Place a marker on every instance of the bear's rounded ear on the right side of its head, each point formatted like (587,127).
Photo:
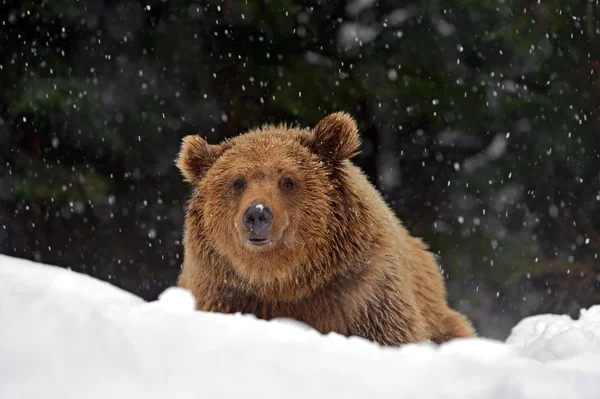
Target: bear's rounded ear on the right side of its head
(335,138)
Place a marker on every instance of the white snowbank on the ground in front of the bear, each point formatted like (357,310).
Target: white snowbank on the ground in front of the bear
(67,335)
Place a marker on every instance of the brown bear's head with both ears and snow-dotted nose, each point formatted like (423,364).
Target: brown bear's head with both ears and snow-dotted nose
(265,200)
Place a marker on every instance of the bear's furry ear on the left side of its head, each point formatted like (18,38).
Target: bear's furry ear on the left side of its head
(196,157)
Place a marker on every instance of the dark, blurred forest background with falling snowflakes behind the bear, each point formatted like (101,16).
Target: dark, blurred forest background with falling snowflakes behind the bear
(480,122)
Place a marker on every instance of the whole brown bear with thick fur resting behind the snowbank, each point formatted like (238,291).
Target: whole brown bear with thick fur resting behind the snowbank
(281,224)
